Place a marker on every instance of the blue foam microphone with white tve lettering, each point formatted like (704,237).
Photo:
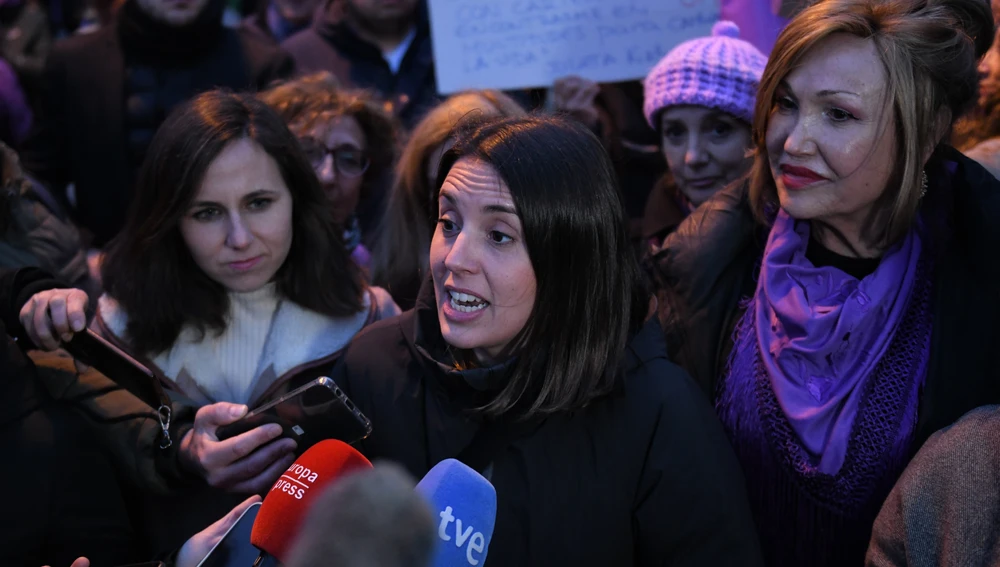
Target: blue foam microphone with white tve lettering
(465,506)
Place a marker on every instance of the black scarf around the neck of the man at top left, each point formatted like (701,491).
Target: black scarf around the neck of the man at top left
(152,42)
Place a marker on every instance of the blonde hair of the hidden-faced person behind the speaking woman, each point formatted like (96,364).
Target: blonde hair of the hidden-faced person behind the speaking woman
(403,238)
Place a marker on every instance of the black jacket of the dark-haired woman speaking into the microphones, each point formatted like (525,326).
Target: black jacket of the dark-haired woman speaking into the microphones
(643,476)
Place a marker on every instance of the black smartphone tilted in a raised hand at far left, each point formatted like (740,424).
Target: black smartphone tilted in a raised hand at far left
(94,350)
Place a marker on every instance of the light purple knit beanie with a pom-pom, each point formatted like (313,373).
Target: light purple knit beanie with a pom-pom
(721,72)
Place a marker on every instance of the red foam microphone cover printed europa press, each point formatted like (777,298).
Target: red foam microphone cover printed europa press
(286,504)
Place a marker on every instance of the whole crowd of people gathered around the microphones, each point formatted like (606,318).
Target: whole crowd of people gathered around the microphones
(741,312)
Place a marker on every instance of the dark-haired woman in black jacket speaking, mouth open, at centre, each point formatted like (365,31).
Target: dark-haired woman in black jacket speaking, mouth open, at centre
(531,356)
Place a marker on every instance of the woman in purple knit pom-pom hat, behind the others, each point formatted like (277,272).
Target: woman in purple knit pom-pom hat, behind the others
(700,99)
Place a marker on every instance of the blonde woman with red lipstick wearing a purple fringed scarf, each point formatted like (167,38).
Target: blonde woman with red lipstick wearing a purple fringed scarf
(840,304)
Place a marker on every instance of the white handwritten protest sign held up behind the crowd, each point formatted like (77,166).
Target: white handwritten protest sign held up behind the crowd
(511,44)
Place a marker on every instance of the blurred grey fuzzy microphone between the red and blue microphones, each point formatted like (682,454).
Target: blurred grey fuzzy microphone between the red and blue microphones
(372,518)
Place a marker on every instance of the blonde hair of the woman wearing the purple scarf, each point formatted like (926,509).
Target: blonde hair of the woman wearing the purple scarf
(928,50)
